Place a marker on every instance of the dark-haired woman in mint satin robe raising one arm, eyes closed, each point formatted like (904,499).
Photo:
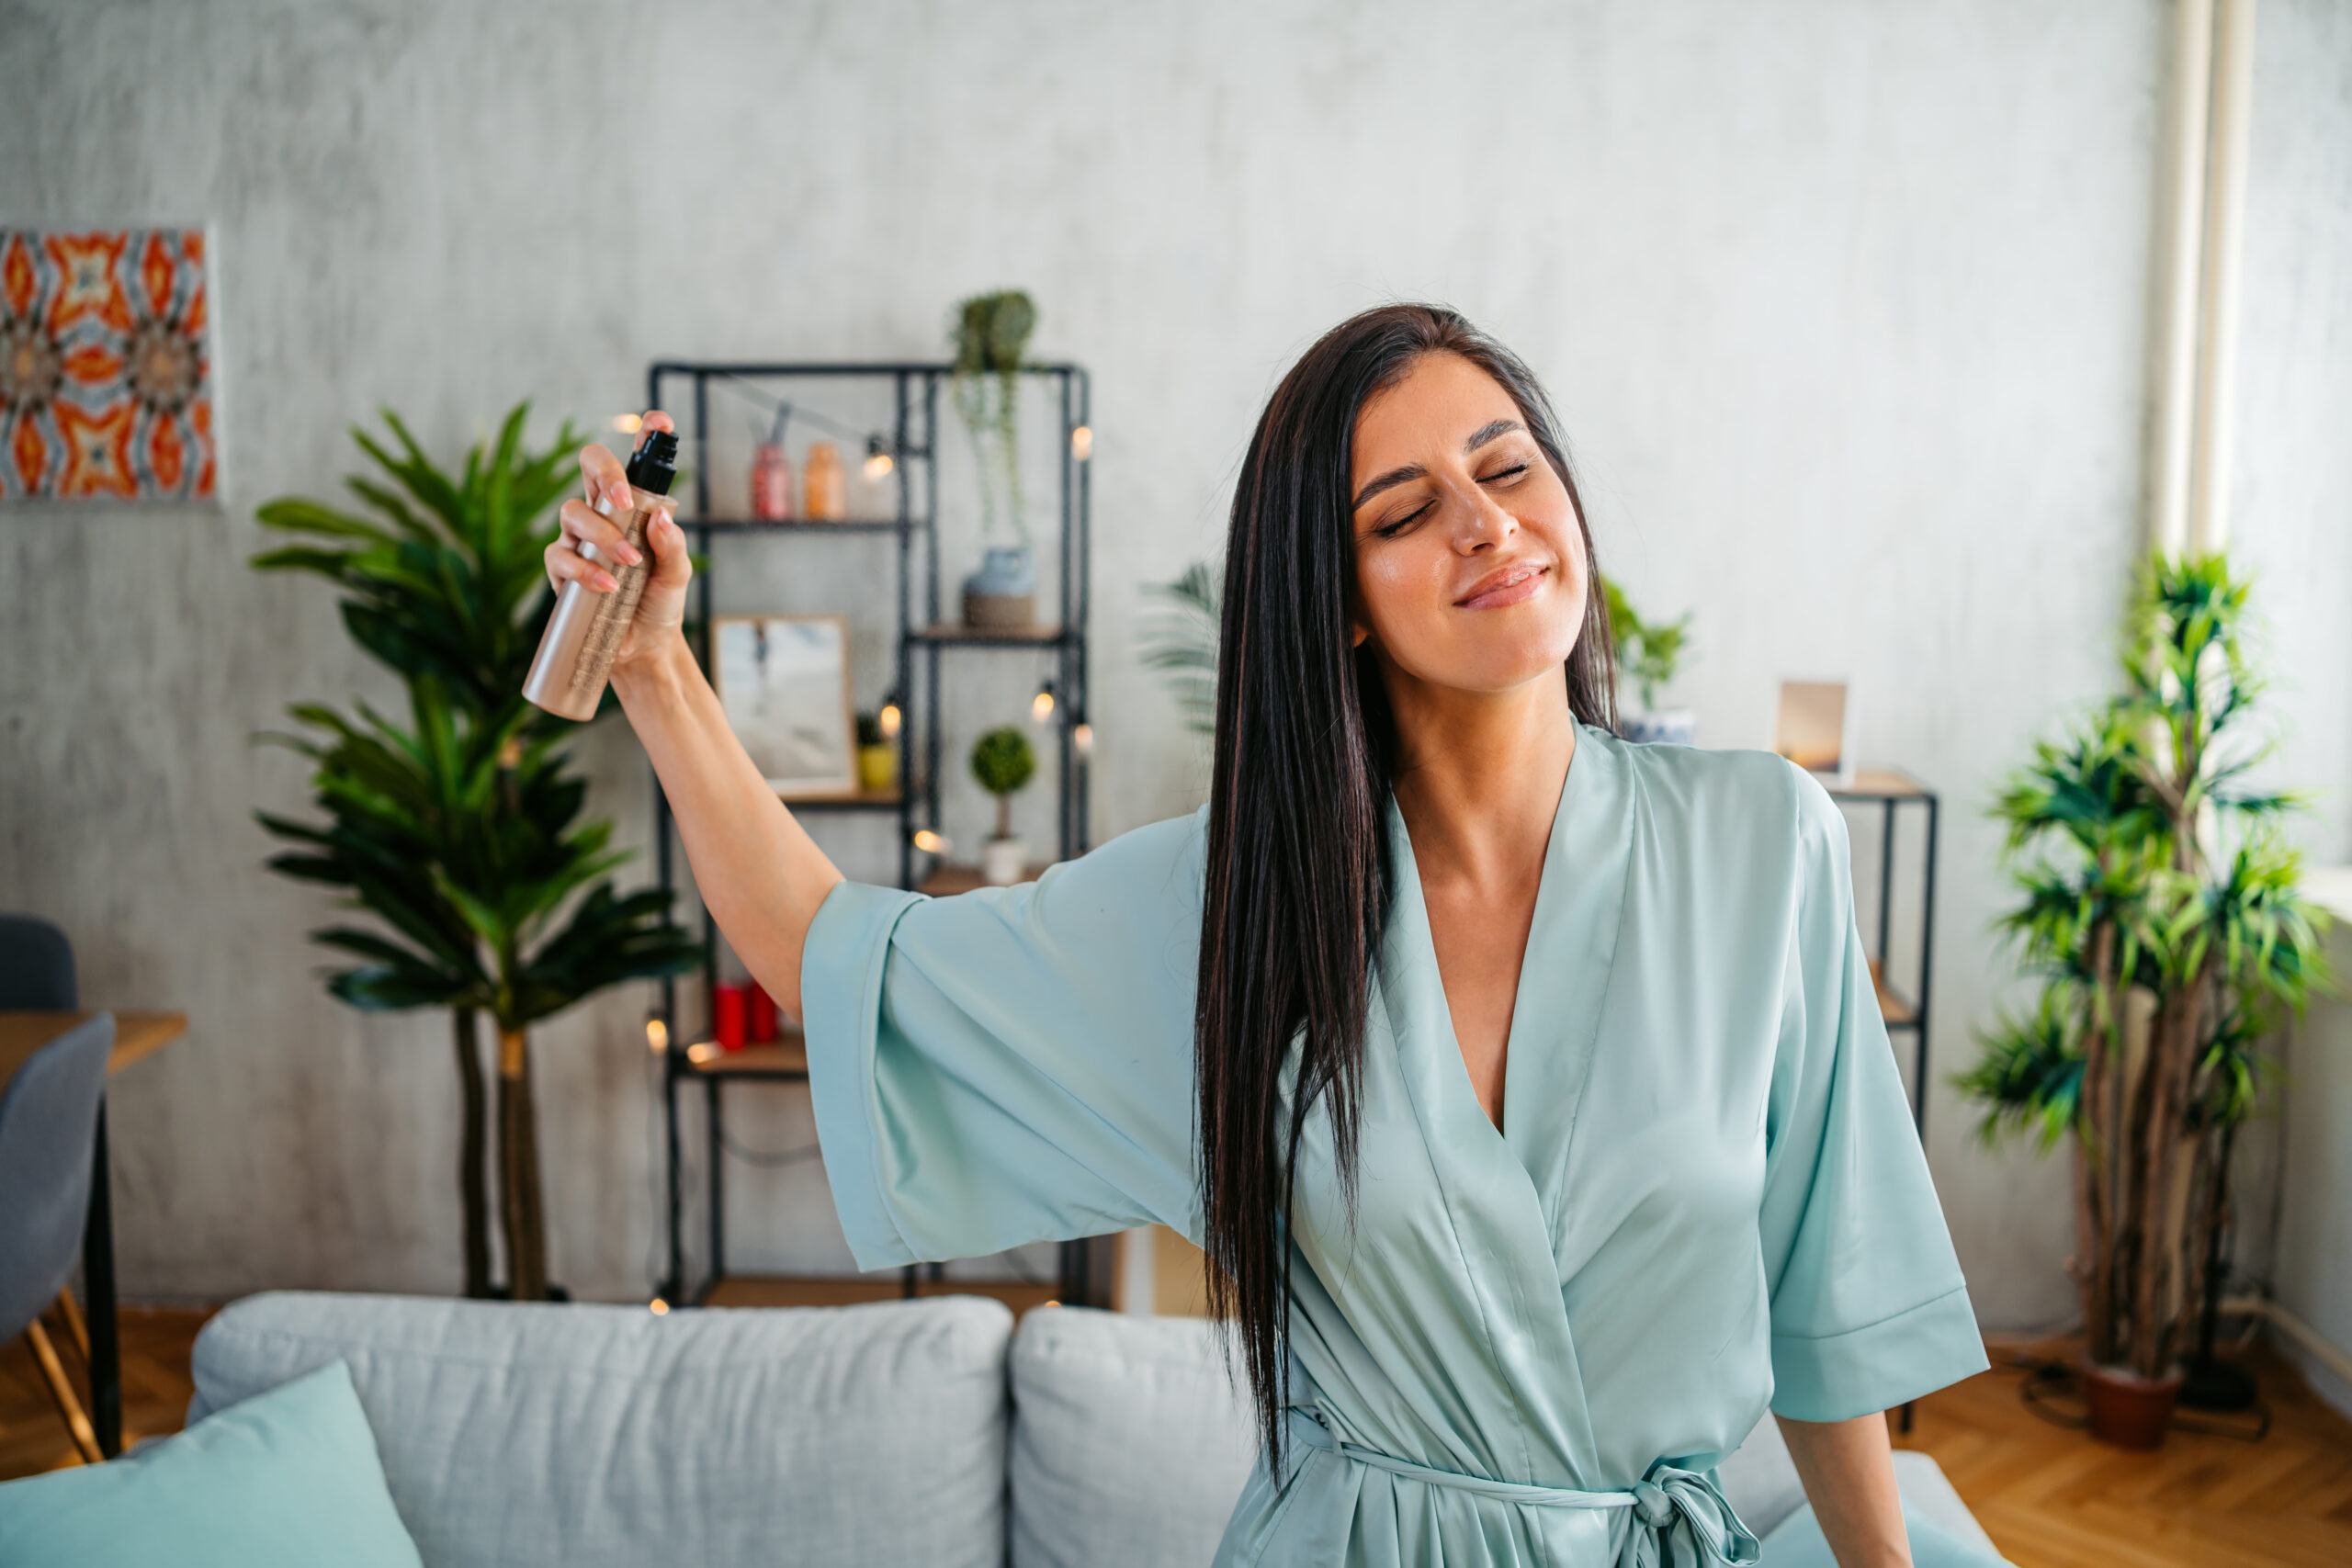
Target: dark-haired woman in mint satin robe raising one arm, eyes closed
(1525,1087)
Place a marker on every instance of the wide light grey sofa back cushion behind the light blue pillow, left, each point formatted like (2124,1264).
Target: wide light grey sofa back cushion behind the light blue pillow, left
(608,1435)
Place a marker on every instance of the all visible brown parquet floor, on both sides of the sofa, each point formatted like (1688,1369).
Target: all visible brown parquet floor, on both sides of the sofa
(2050,1496)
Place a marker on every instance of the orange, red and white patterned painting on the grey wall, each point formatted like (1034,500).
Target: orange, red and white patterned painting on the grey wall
(105,370)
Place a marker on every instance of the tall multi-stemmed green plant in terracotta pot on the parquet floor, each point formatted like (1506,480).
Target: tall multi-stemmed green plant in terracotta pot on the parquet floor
(2163,916)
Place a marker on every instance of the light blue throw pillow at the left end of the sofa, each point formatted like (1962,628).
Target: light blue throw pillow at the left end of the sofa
(279,1482)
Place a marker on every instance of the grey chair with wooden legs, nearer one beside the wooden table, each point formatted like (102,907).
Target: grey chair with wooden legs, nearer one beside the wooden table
(48,1134)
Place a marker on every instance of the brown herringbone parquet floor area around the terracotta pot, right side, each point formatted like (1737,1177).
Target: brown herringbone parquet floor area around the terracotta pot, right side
(2057,1499)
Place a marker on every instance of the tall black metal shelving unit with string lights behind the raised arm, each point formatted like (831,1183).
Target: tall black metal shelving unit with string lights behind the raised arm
(923,641)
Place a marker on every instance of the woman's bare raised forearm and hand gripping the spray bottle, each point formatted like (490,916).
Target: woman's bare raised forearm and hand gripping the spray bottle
(759,869)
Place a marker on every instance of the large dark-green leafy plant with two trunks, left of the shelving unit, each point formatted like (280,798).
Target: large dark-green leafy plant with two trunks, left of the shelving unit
(460,826)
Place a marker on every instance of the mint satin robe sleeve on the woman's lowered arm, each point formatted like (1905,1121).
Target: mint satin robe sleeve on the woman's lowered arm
(1869,1306)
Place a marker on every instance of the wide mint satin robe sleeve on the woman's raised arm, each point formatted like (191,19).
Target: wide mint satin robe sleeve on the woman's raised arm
(1013,1064)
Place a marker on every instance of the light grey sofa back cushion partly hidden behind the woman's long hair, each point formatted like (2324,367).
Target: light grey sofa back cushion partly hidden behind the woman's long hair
(1130,1445)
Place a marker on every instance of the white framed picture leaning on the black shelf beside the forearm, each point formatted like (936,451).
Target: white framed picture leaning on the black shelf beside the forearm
(784,685)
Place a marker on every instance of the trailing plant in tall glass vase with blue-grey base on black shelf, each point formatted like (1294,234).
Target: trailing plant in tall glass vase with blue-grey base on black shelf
(991,333)
